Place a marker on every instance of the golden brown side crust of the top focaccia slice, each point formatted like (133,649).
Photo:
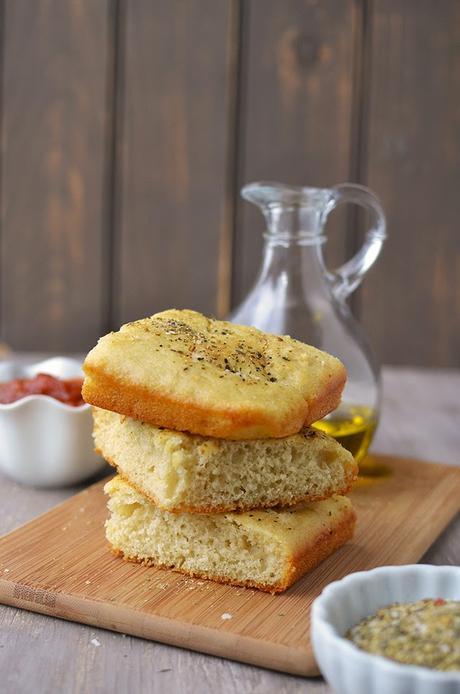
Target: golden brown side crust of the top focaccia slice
(104,391)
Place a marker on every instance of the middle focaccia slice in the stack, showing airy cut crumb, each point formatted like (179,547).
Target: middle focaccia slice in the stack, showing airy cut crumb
(185,472)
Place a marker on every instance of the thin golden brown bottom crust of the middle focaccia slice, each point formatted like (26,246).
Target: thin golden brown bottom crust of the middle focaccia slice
(239,506)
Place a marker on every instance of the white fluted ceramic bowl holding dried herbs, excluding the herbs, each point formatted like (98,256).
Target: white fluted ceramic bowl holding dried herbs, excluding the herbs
(342,604)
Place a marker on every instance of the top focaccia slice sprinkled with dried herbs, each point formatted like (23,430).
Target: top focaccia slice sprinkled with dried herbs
(184,371)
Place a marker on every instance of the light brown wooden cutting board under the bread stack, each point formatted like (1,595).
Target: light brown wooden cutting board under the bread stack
(59,564)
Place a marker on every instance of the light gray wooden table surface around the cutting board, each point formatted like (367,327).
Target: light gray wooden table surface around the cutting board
(38,654)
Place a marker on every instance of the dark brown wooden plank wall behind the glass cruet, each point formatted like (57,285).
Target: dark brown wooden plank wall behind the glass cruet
(128,127)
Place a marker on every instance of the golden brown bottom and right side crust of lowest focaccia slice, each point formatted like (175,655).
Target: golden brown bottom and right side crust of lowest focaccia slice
(306,559)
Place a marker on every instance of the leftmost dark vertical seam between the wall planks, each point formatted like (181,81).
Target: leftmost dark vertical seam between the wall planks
(114,94)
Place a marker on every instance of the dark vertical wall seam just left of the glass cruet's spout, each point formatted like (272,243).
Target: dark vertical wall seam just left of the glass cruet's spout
(239,142)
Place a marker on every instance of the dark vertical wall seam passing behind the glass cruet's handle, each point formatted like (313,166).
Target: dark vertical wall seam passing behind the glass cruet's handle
(359,126)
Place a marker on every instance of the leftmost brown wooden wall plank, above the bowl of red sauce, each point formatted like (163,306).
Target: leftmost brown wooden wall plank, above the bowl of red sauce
(55,122)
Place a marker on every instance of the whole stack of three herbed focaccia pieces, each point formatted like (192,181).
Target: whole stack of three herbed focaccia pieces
(219,475)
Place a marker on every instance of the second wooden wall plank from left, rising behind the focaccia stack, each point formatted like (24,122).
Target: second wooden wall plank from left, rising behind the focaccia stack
(171,178)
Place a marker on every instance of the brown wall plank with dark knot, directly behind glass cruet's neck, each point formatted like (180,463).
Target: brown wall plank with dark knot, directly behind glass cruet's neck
(296,111)
